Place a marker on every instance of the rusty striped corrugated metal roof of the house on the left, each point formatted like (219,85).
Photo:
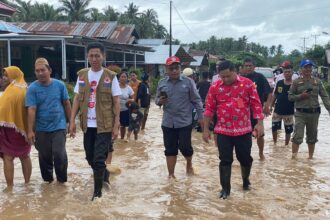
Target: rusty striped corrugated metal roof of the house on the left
(94,29)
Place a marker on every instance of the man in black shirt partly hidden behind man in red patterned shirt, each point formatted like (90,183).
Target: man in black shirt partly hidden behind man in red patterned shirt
(265,95)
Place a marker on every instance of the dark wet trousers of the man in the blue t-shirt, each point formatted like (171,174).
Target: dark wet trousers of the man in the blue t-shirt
(52,153)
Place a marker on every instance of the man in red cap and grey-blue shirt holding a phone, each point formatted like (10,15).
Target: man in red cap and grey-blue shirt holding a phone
(176,93)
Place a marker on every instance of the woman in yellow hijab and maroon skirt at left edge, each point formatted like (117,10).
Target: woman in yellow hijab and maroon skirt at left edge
(13,125)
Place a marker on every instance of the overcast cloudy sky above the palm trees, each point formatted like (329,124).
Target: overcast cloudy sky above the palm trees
(267,22)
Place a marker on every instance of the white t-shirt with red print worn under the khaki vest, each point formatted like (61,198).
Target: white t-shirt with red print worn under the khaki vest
(93,79)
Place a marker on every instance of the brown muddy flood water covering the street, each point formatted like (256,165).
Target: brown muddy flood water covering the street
(282,188)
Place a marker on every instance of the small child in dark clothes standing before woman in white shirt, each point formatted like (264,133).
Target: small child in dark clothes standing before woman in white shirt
(135,118)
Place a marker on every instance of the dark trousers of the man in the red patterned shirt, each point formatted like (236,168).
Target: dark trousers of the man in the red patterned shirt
(242,146)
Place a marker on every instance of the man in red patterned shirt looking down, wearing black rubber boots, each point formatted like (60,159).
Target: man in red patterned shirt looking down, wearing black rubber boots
(231,99)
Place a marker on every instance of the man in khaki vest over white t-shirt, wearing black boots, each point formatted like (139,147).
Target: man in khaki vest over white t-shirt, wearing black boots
(97,98)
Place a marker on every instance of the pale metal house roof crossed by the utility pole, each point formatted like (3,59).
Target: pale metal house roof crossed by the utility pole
(162,53)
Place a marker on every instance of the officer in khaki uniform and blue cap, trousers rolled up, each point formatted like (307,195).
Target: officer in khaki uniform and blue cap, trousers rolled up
(304,92)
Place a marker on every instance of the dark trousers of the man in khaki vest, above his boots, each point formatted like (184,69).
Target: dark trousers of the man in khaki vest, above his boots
(97,147)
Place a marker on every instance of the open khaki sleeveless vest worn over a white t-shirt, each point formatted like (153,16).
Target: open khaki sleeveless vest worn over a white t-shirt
(104,102)
